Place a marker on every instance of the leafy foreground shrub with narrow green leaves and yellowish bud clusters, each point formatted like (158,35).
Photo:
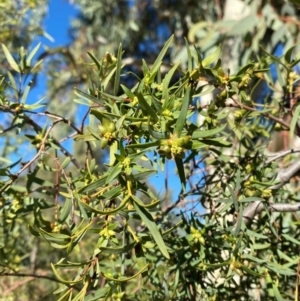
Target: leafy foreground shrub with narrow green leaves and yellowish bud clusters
(111,237)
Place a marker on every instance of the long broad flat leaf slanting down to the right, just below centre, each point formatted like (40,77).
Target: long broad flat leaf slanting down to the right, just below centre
(150,224)
